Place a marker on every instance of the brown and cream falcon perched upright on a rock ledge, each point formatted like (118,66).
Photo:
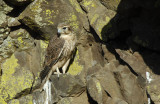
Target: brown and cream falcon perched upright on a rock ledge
(59,52)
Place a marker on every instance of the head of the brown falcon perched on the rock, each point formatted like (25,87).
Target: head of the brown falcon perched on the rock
(63,29)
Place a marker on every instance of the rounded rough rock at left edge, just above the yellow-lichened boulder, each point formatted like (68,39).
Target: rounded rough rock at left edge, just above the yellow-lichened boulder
(17,40)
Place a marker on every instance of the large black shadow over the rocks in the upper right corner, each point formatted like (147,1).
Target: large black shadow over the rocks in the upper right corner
(135,28)
